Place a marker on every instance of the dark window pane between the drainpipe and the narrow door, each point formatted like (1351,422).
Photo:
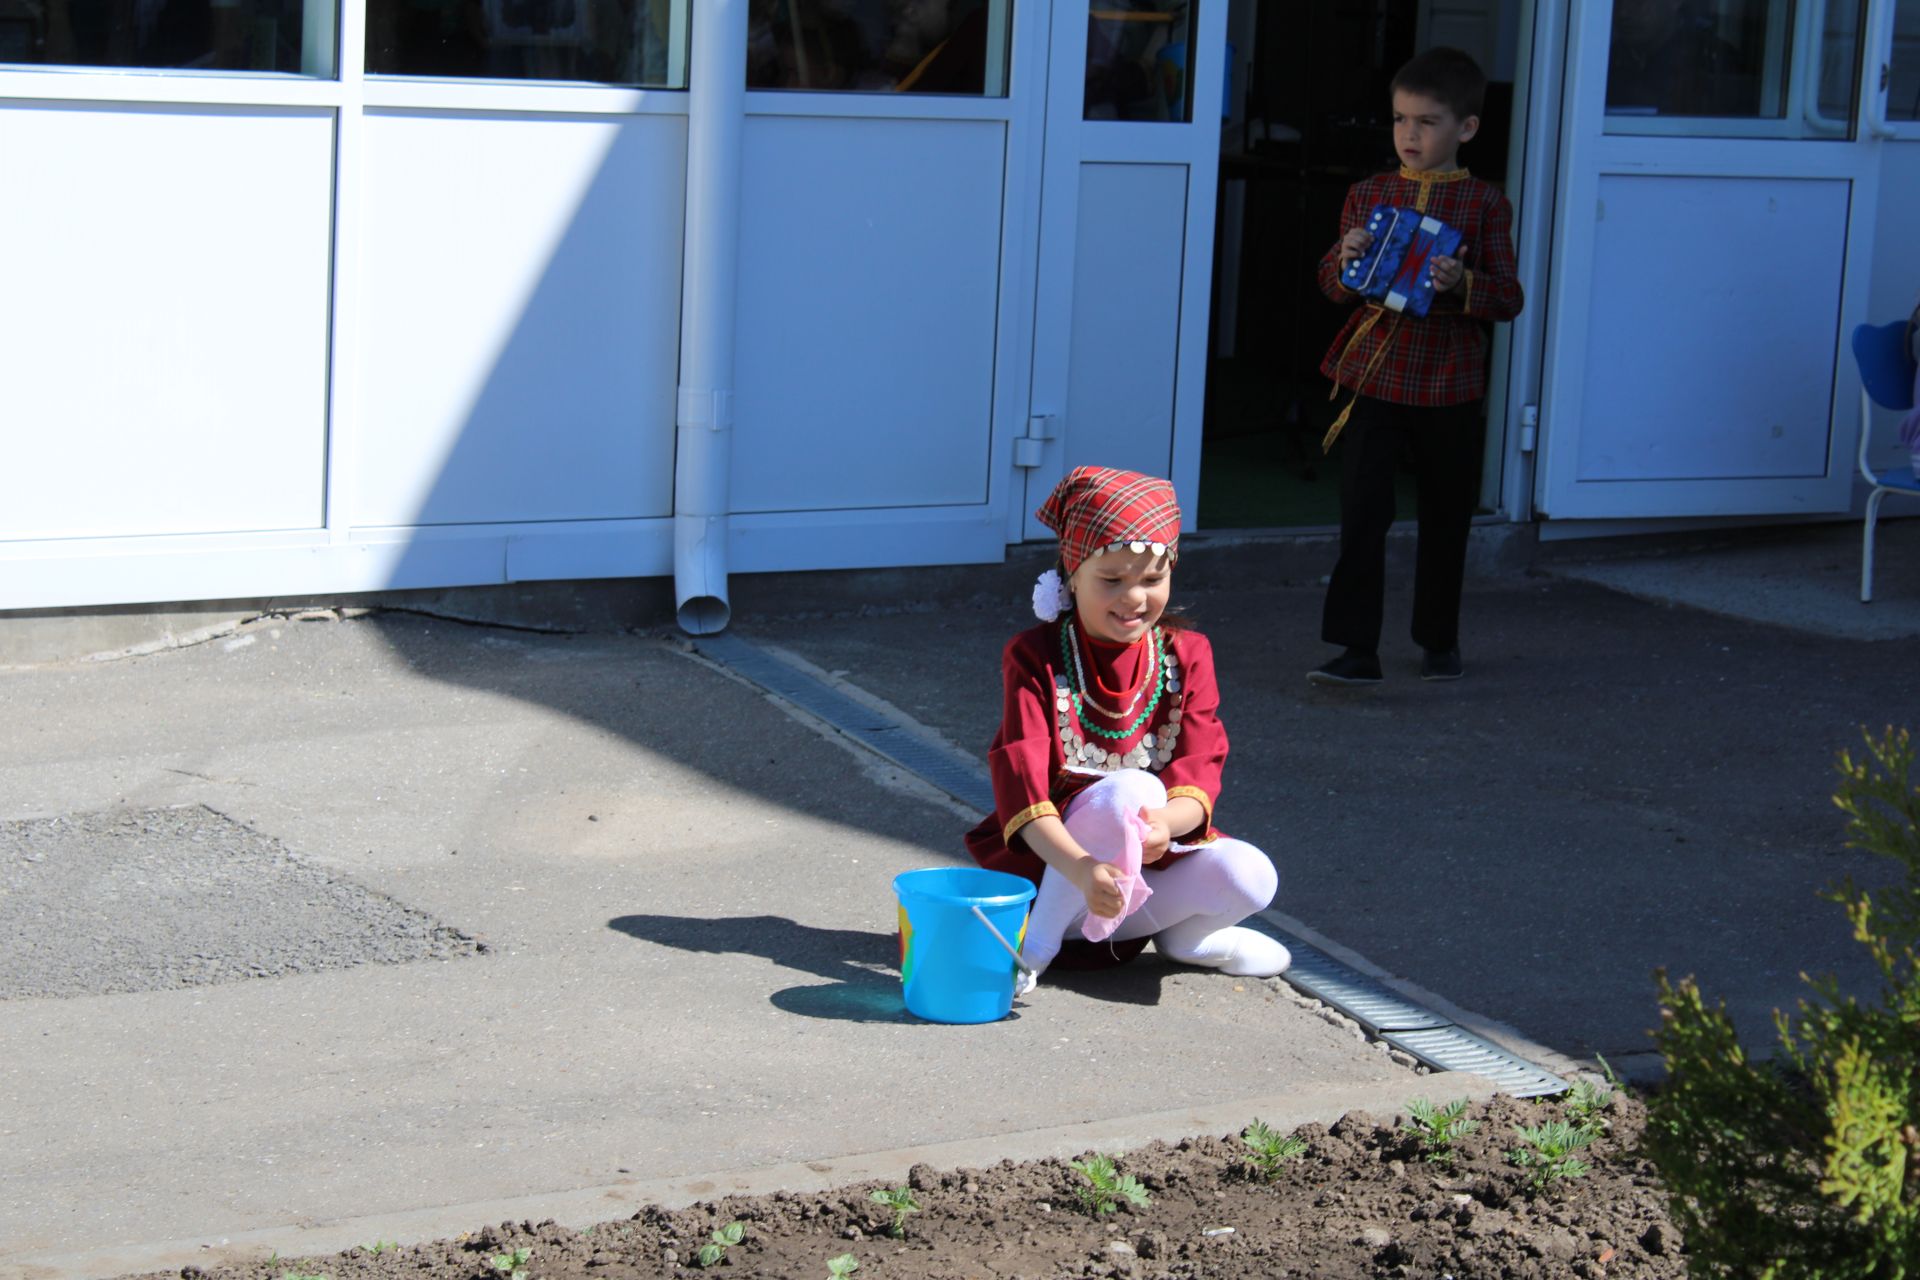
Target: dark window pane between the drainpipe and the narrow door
(880,47)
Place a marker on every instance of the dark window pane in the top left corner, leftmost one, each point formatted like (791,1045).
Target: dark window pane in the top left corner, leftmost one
(203,36)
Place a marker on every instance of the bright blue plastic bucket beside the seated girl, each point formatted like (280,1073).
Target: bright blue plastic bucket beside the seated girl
(953,970)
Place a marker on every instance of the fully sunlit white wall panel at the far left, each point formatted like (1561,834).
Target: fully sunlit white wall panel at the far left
(162,320)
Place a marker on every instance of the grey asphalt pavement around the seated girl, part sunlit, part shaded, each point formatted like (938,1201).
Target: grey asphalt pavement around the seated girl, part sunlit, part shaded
(673,891)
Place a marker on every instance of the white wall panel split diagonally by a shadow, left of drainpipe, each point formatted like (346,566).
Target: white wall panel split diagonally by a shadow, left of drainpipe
(521,318)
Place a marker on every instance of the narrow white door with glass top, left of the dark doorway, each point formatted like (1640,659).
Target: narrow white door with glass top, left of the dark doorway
(1126,245)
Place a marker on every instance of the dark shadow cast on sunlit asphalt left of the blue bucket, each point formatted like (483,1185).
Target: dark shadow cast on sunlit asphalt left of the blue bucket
(861,968)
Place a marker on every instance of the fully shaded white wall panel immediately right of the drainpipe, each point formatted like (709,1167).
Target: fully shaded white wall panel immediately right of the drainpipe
(871,264)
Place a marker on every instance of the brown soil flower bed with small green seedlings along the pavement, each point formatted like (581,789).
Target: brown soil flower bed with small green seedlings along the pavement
(1358,1200)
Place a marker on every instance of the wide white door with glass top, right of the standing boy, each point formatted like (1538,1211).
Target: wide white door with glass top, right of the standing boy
(1712,252)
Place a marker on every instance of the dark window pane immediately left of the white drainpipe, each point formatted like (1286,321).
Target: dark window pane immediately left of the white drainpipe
(604,41)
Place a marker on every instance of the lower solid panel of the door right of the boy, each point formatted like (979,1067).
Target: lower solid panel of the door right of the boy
(1712,354)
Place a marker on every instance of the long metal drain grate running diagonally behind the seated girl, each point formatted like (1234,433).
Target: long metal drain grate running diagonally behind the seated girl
(1376,1007)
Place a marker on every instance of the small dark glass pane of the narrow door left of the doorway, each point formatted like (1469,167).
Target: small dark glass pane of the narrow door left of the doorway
(1138,60)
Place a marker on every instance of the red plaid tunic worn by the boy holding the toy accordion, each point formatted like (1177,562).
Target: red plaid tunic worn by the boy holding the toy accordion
(1441,358)
